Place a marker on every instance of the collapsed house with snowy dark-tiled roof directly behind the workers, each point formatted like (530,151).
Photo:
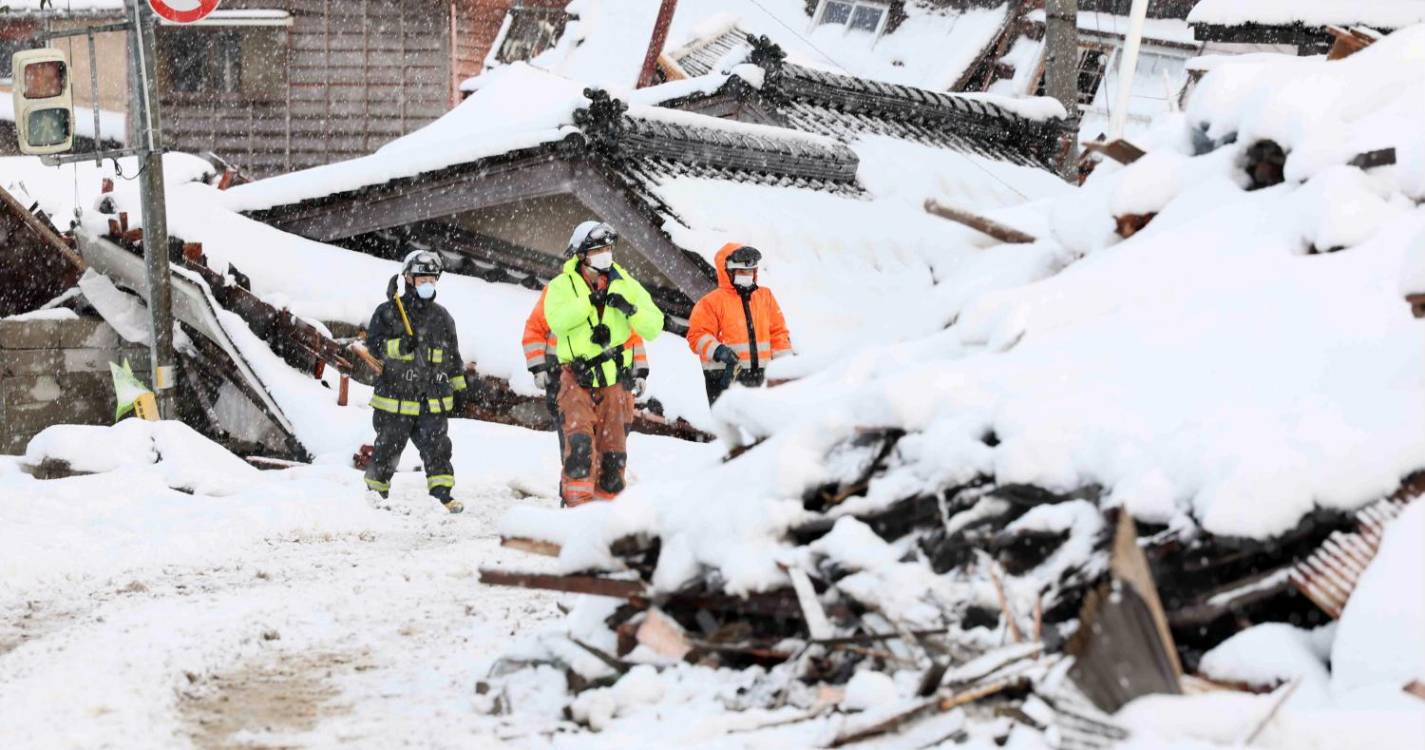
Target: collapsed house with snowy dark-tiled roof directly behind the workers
(680,170)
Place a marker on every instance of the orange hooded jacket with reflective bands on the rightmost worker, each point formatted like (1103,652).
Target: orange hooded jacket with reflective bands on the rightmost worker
(722,319)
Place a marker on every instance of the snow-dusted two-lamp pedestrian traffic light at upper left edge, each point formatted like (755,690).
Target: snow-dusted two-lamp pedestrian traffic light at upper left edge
(43,102)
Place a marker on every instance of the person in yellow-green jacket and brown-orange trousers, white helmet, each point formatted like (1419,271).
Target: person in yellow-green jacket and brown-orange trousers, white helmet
(594,307)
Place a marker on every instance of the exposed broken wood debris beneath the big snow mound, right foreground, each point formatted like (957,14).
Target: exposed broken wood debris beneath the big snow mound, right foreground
(1092,610)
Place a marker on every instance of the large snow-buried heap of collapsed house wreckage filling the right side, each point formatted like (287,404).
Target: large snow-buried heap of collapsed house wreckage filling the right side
(943,533)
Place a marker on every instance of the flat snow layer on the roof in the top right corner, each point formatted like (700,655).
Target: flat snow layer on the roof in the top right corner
(1316,14)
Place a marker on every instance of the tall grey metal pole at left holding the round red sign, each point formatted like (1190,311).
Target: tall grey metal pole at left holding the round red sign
(156,217)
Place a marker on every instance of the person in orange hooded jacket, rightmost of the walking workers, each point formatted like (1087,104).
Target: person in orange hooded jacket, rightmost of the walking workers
(737,329)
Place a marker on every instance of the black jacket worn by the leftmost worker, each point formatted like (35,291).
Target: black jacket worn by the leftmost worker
(423,367)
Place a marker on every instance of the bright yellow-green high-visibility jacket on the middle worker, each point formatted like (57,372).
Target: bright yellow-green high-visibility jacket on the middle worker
(574,316)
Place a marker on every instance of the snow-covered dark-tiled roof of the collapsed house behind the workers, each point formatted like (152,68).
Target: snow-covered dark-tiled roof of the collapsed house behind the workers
(839,176)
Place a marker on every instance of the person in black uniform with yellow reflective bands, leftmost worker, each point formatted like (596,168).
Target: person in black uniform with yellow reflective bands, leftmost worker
(423,381)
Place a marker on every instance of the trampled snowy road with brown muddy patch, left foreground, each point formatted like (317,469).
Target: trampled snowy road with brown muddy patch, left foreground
(183,598)
